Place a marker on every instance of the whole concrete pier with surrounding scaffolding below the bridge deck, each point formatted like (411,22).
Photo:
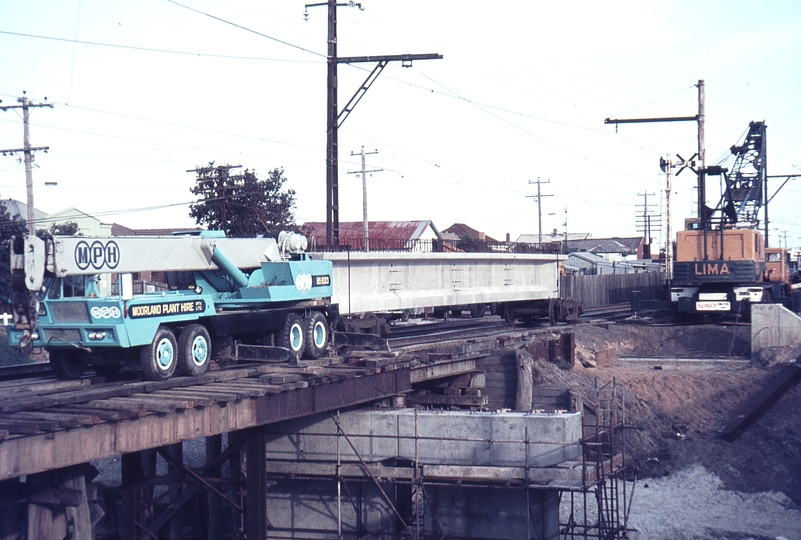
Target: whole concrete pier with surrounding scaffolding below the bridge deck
(458,474)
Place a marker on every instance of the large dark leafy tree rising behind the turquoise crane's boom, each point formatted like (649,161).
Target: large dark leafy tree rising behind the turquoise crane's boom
(242,205)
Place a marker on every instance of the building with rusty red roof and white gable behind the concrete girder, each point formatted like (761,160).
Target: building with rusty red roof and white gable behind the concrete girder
(382,235)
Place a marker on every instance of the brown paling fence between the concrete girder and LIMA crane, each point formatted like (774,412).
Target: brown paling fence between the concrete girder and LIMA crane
(604,290)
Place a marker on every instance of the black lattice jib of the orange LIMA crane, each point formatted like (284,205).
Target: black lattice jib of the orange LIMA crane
(745,184)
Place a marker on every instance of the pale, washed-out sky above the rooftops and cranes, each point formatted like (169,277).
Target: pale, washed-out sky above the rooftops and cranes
(145,91)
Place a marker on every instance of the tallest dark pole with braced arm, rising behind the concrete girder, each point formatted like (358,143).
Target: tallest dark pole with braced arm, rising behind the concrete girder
(335,118)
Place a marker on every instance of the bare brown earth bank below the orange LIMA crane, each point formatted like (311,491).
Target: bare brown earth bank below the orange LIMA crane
(674,416)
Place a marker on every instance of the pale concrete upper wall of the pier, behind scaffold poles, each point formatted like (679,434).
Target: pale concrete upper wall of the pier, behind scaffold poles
(443,438)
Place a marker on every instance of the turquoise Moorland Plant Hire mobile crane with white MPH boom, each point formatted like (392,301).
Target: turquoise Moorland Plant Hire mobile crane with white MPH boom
(76,297)
